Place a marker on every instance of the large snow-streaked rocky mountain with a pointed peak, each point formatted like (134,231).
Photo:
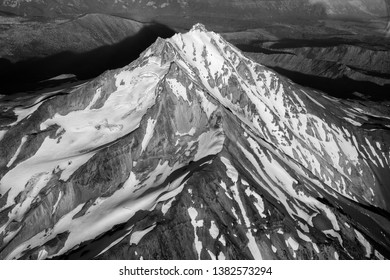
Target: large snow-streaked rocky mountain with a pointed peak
(193,151)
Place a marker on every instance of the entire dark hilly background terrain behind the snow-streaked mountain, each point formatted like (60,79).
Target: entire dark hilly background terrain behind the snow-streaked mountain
(323,44)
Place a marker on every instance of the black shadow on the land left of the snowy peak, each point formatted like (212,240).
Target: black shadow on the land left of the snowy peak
(26,75)
